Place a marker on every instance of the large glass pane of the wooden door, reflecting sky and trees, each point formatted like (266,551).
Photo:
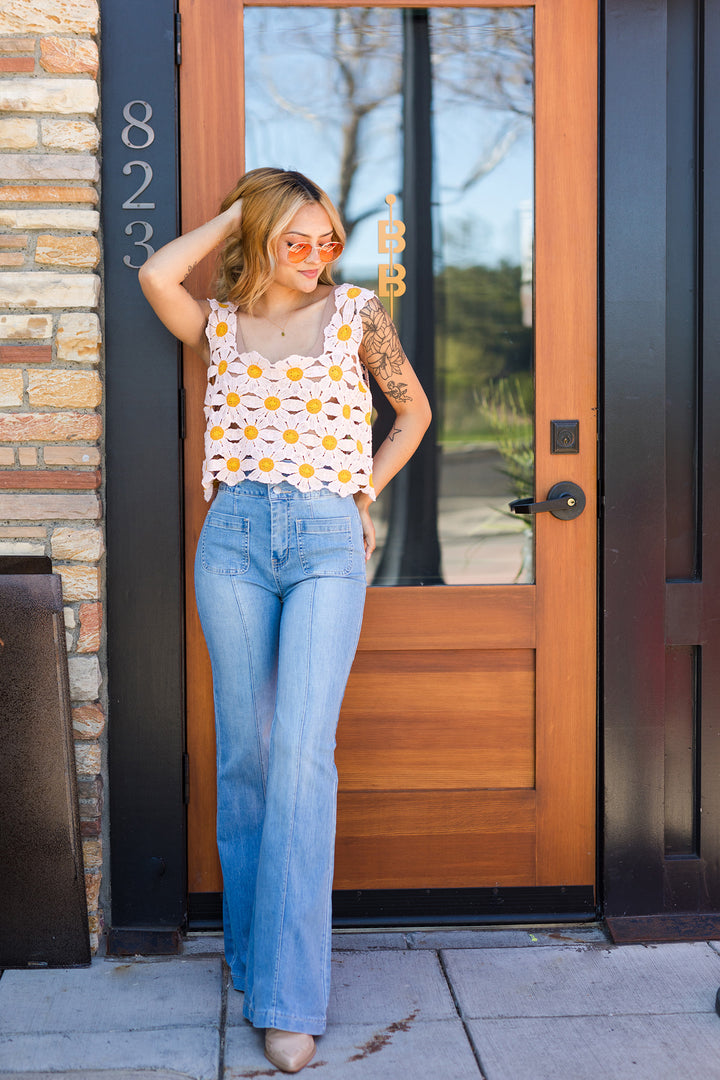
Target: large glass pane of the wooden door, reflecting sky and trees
(436,109)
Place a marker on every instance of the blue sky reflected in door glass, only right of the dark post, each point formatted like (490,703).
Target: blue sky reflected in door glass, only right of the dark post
(483,130)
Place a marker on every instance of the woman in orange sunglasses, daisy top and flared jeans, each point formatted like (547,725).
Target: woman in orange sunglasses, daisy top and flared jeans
(280,570)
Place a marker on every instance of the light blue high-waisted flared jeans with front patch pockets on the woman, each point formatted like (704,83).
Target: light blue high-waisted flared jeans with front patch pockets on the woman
(280,583)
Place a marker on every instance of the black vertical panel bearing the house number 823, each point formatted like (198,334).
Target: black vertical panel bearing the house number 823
(144,501)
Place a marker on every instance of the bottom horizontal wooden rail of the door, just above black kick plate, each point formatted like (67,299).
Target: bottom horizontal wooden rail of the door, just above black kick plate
(488,838)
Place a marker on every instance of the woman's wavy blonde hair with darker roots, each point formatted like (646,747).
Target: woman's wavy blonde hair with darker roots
(271,199)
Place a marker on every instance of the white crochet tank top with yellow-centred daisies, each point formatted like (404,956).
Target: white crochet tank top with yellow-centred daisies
(303,420)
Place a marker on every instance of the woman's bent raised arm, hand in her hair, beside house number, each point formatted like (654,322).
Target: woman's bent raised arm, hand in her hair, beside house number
(161,278)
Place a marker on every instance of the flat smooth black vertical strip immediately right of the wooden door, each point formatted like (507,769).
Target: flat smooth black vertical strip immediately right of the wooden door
(635,314)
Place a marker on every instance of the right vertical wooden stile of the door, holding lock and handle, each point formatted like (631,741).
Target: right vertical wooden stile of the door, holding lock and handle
(566,312)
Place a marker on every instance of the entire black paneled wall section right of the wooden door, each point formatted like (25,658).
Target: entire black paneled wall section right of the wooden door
(662,585)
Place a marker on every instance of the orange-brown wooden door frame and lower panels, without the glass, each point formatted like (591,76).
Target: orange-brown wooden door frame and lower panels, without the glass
(467,742)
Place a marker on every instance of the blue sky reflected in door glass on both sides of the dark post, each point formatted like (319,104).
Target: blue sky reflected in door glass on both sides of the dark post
(301,107)
